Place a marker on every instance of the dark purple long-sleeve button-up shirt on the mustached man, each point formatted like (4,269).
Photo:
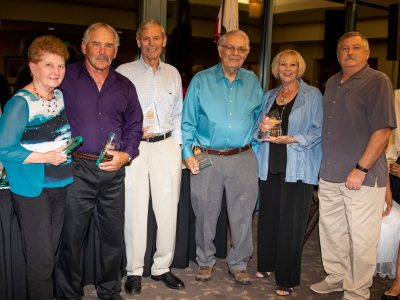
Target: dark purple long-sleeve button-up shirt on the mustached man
(93,114)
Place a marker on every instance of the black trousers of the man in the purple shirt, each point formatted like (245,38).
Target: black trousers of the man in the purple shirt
(93,189)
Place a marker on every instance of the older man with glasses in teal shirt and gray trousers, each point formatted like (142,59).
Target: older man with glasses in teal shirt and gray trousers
(219,117)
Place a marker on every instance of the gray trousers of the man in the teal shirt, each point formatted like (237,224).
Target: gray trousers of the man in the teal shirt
(237,174)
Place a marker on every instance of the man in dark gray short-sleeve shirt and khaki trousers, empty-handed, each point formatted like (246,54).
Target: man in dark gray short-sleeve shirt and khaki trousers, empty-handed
(358,119)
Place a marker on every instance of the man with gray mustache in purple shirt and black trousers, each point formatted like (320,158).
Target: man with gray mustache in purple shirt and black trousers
(98,101)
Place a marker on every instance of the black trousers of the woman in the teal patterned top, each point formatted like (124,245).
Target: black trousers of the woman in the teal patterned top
(40,220)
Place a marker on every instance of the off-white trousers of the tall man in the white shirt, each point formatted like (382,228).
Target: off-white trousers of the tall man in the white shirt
(157,169)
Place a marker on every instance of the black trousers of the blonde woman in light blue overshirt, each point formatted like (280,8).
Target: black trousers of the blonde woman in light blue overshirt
(282,221)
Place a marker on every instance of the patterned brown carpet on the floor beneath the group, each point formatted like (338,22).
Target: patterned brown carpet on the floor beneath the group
(222,286)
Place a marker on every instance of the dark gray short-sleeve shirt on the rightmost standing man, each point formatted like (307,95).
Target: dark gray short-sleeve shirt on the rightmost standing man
(353,110)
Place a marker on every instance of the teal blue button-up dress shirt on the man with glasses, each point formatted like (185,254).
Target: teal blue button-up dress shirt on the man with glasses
(218,114)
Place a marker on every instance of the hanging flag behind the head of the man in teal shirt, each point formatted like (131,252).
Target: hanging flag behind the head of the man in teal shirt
(227,19)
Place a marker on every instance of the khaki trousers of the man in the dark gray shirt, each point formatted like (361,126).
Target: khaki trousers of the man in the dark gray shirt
(349,228)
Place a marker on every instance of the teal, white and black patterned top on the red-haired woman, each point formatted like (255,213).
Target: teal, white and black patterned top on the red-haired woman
(30,124)
